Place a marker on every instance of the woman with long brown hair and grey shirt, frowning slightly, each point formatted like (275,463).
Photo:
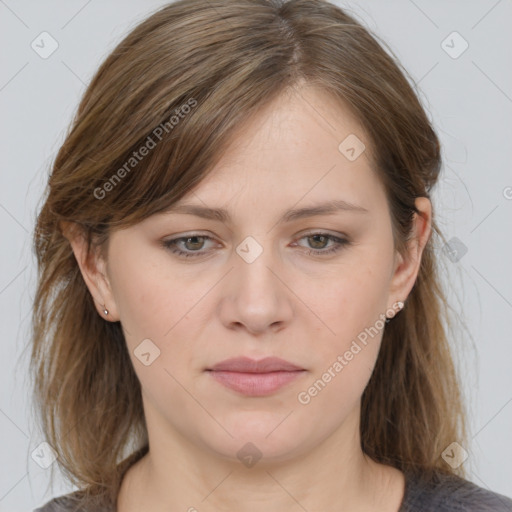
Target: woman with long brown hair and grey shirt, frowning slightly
(238,303)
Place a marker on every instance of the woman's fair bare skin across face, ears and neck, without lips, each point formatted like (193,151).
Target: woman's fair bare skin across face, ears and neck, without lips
(304,308)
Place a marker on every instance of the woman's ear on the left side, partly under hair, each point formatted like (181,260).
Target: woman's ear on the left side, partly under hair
(94,271)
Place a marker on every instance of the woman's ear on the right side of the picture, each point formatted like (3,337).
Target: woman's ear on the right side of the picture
(406,269)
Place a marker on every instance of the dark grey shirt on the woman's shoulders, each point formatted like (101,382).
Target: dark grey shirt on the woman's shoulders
(445,493)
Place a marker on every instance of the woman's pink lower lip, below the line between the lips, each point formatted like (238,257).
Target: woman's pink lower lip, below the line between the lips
(255,384)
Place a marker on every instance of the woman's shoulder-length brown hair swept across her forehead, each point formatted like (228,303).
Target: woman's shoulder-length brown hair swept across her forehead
(182,83)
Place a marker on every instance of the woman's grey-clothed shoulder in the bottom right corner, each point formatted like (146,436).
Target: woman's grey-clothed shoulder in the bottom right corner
(447,492)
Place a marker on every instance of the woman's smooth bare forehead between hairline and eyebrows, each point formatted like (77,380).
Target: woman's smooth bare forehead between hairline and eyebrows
(294,149)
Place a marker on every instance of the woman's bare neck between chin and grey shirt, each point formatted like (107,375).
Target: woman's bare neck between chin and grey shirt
(179,475)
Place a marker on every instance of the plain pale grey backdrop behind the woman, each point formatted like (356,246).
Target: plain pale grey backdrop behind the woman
(465,83)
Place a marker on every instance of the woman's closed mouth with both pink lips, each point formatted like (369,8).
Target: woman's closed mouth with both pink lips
(255,378)
